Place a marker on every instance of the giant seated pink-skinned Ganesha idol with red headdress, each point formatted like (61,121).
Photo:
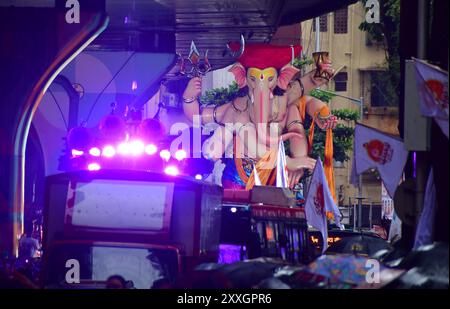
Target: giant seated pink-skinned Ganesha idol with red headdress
(270,107)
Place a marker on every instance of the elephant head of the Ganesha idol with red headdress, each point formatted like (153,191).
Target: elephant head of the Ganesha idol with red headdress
(263,71)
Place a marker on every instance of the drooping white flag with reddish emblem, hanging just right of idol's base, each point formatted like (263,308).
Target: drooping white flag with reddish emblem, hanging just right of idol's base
(319,201)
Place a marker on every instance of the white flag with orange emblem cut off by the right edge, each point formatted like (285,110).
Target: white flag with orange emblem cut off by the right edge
(432,85)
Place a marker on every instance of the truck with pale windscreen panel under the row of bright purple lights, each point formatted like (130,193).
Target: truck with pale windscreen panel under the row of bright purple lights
(148,228)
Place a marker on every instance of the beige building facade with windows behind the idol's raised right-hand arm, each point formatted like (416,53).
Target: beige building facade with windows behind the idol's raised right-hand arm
(360,62)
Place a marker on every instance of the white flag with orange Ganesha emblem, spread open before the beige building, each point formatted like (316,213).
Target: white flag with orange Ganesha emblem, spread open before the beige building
(385,152)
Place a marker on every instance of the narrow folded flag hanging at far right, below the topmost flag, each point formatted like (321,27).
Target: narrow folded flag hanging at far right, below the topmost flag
(424,232)
